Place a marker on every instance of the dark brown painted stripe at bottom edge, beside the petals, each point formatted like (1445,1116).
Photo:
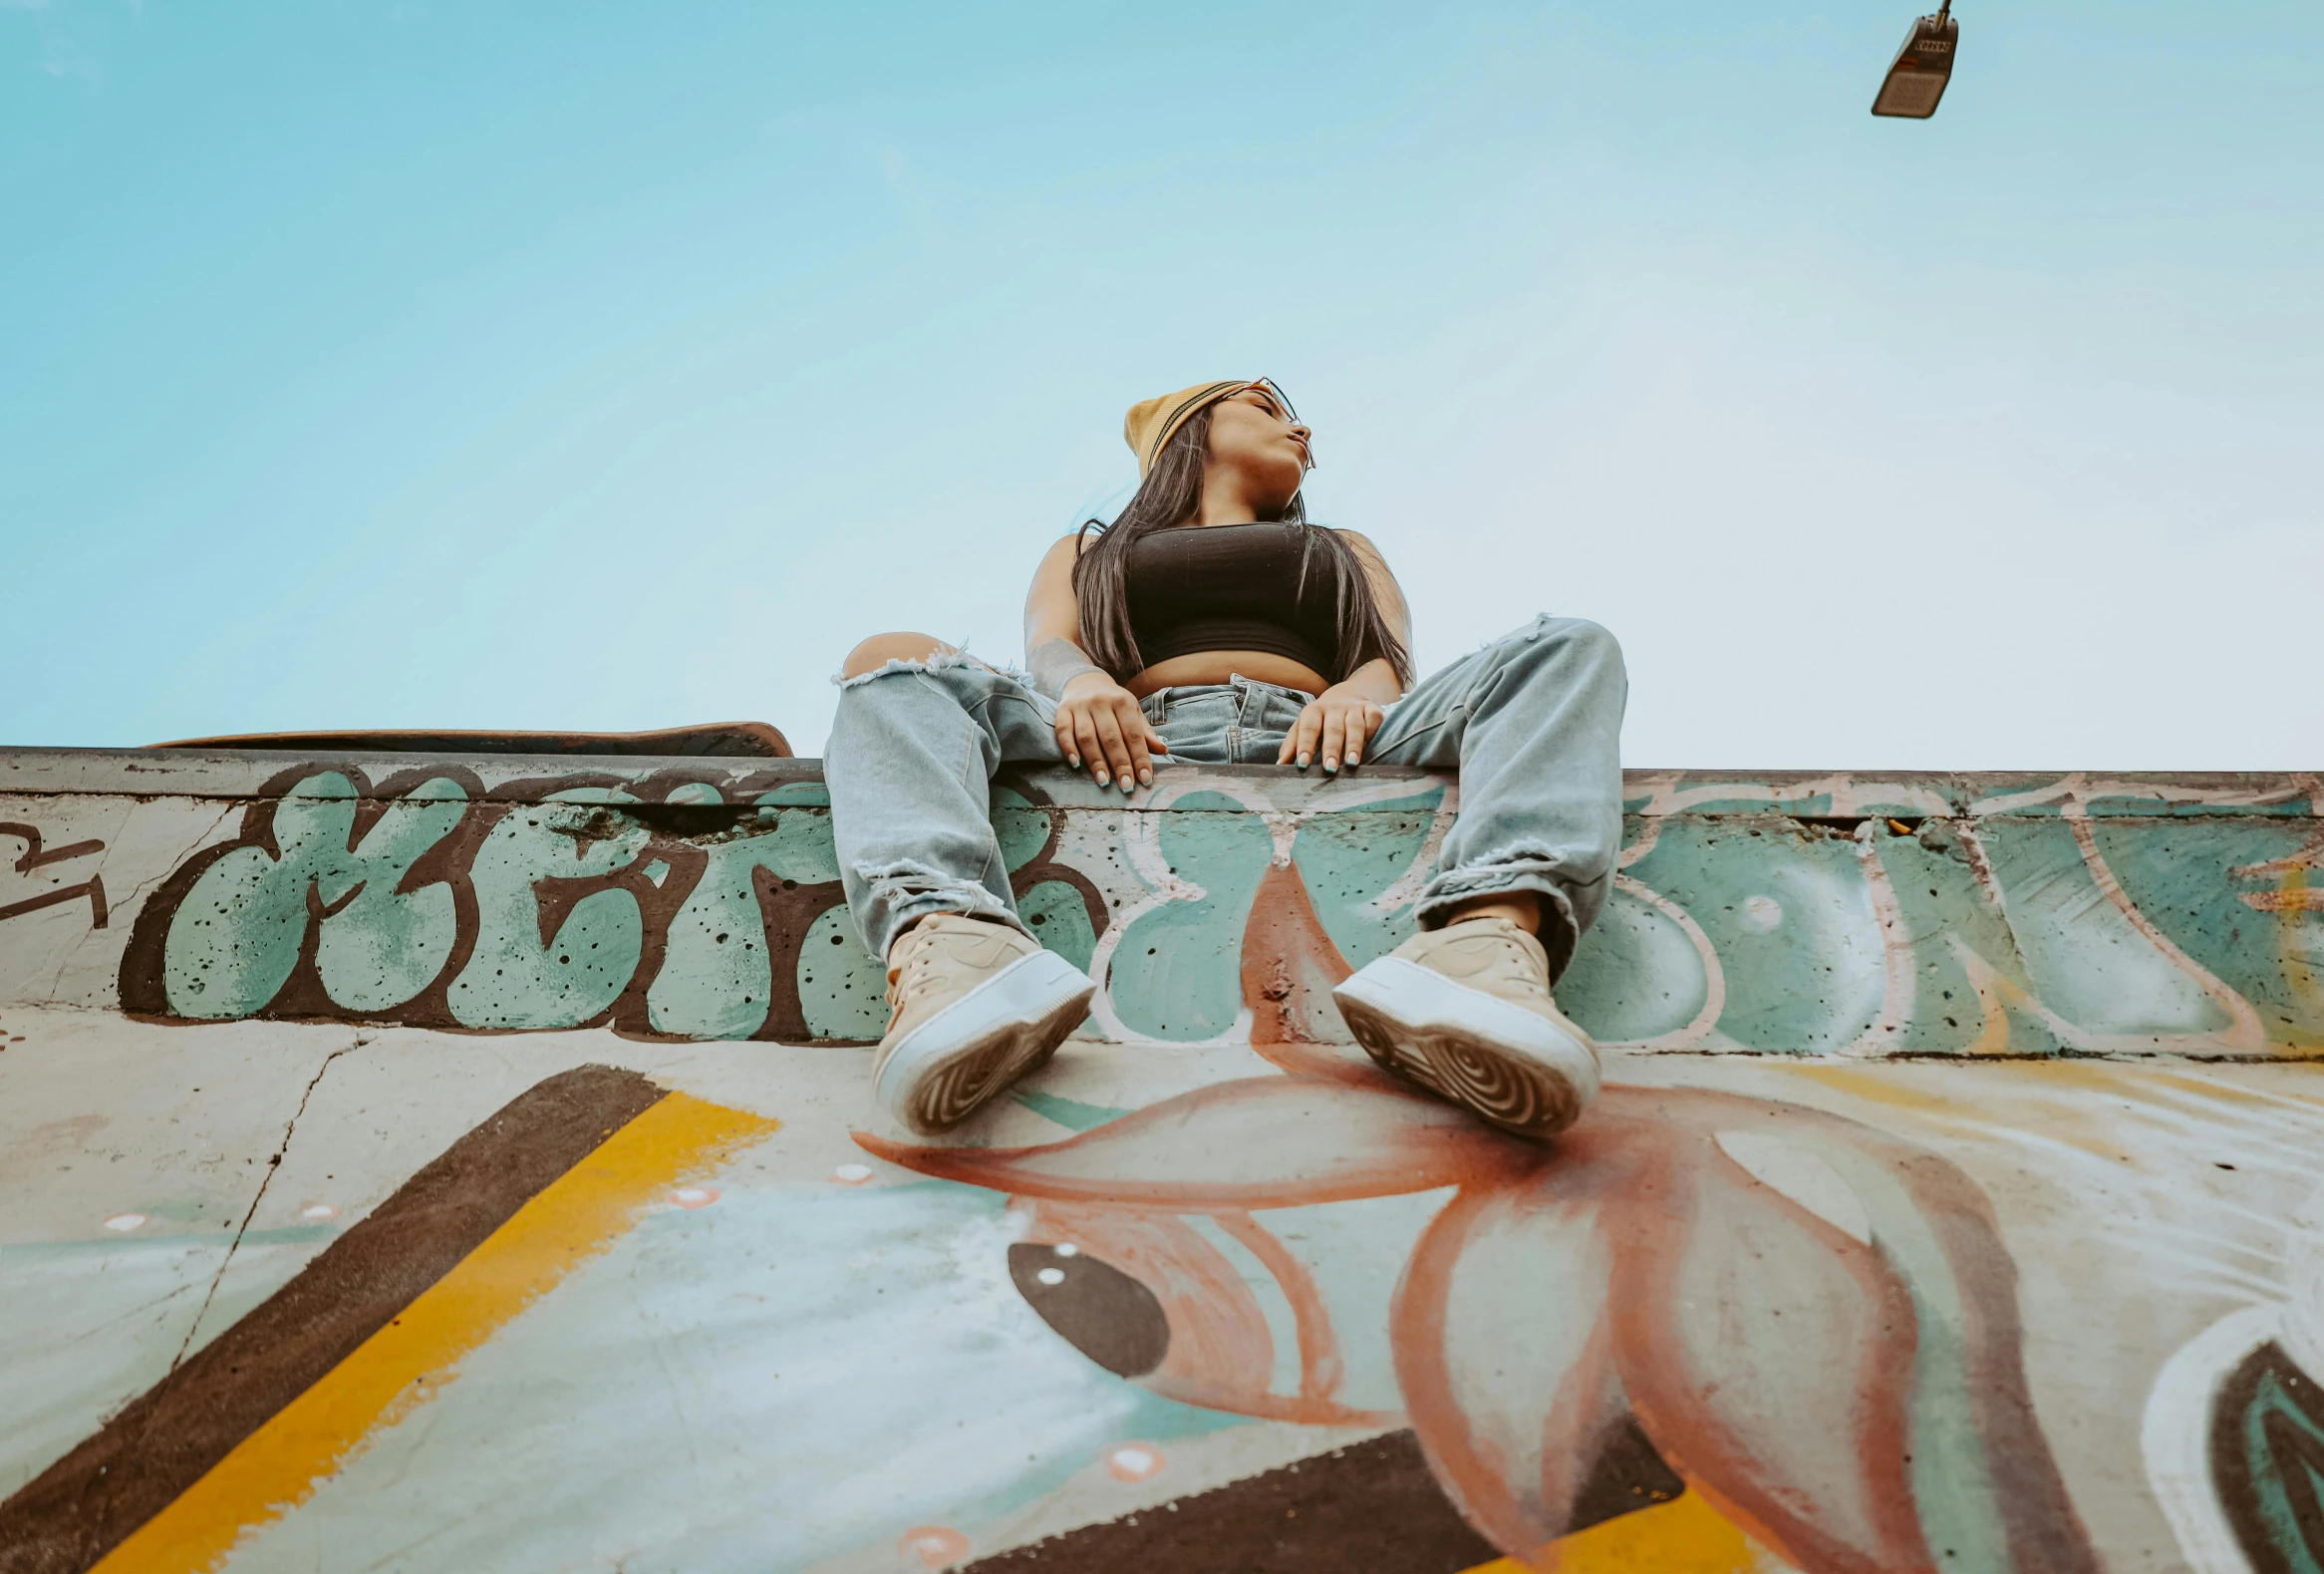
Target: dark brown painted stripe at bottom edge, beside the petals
(1368,1508)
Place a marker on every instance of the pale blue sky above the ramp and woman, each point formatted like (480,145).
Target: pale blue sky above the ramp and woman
(591,366)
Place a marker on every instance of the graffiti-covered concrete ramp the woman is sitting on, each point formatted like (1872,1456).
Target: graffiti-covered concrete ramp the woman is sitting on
(466,1164)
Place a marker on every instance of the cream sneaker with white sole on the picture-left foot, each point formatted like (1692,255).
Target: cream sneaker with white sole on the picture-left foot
(977,1006)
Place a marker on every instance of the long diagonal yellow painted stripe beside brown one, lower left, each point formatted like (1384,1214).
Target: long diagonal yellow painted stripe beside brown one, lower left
(417,1354)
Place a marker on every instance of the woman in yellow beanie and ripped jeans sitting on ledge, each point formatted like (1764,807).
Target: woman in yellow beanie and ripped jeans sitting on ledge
(1212,624)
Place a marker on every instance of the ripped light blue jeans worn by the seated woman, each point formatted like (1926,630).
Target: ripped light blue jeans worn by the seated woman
(1533,724)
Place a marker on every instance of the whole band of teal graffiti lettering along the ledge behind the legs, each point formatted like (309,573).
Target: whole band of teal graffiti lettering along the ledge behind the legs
(1821,917)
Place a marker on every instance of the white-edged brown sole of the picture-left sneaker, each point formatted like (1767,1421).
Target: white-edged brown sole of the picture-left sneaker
(947,1068)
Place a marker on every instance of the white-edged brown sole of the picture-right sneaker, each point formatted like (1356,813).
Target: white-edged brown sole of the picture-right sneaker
(1500,1061)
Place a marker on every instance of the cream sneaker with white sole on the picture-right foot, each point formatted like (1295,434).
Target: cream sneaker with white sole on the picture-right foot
(1468,1015)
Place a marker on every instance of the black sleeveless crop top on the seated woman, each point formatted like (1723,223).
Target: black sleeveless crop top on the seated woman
(1235,589)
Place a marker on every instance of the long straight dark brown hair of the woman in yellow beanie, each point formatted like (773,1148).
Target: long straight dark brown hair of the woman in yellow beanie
(1168,499)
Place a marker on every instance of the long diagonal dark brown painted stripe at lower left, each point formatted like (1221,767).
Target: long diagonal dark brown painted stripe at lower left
(94,1498)
